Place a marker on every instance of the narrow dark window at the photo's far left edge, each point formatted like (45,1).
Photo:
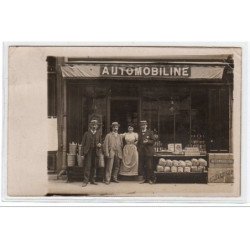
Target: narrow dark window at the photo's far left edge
(51,87)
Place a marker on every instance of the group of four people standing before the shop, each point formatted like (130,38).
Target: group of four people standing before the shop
(131,159)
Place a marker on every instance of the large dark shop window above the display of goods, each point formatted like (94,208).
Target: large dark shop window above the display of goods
(177,114)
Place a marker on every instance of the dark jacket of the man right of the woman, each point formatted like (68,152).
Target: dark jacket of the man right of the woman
(146,149)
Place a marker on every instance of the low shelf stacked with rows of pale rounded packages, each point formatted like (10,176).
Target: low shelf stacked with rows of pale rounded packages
(170,168)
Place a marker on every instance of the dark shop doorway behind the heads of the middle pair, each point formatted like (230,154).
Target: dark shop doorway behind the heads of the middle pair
(125,112)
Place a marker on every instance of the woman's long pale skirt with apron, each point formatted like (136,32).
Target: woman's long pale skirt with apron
(129,165)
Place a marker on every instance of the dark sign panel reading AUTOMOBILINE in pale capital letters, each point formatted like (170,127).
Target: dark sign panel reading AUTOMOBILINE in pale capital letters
(168,71)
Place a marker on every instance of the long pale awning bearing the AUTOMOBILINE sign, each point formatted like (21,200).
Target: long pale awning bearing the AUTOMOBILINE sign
(140,70)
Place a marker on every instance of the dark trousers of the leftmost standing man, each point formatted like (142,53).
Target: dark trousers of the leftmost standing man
(90,166)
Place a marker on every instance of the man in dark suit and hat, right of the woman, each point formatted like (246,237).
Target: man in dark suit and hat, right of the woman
(145,144)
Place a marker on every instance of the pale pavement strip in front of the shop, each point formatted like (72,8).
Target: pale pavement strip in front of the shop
(135,189)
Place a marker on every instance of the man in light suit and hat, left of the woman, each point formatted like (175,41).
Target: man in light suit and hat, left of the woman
(113,151)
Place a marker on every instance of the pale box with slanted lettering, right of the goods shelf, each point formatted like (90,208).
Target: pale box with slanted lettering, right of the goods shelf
(220,175)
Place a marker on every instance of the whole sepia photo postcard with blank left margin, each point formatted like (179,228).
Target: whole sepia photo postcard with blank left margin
(123,121)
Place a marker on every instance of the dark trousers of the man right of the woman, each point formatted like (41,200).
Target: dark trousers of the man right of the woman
(146,167)
